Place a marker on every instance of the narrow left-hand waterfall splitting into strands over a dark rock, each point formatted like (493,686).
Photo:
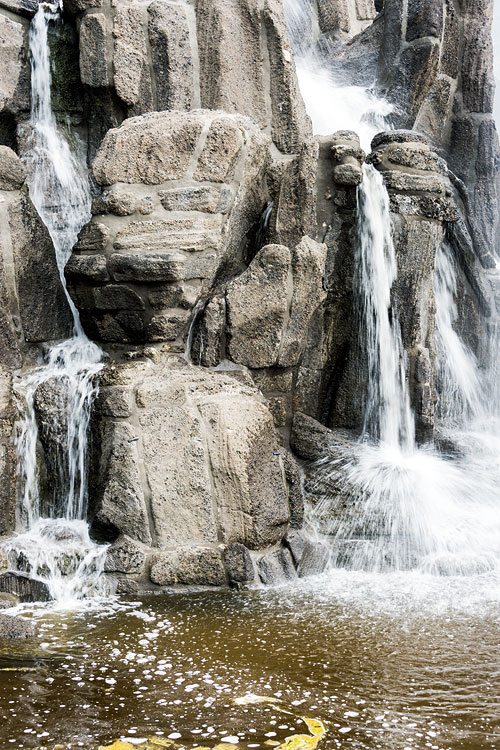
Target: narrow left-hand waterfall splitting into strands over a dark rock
(55,398)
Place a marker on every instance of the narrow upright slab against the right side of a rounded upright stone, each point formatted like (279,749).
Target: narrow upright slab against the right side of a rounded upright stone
(308,268)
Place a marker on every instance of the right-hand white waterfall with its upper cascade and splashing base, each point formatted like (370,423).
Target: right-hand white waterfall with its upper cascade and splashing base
(385,503)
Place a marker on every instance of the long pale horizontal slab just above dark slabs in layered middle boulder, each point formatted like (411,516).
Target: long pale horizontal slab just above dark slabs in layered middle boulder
(179,232)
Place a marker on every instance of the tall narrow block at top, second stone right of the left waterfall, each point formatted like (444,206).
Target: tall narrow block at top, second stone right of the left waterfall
(132,77)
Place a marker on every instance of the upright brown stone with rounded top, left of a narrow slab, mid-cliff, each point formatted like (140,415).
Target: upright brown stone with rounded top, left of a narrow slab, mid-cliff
(257,308)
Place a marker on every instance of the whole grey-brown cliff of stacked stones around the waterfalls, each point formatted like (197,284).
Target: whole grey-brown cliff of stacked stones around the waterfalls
(218,267)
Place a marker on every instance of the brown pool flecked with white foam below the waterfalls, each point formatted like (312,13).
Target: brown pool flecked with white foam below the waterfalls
(392,662)
